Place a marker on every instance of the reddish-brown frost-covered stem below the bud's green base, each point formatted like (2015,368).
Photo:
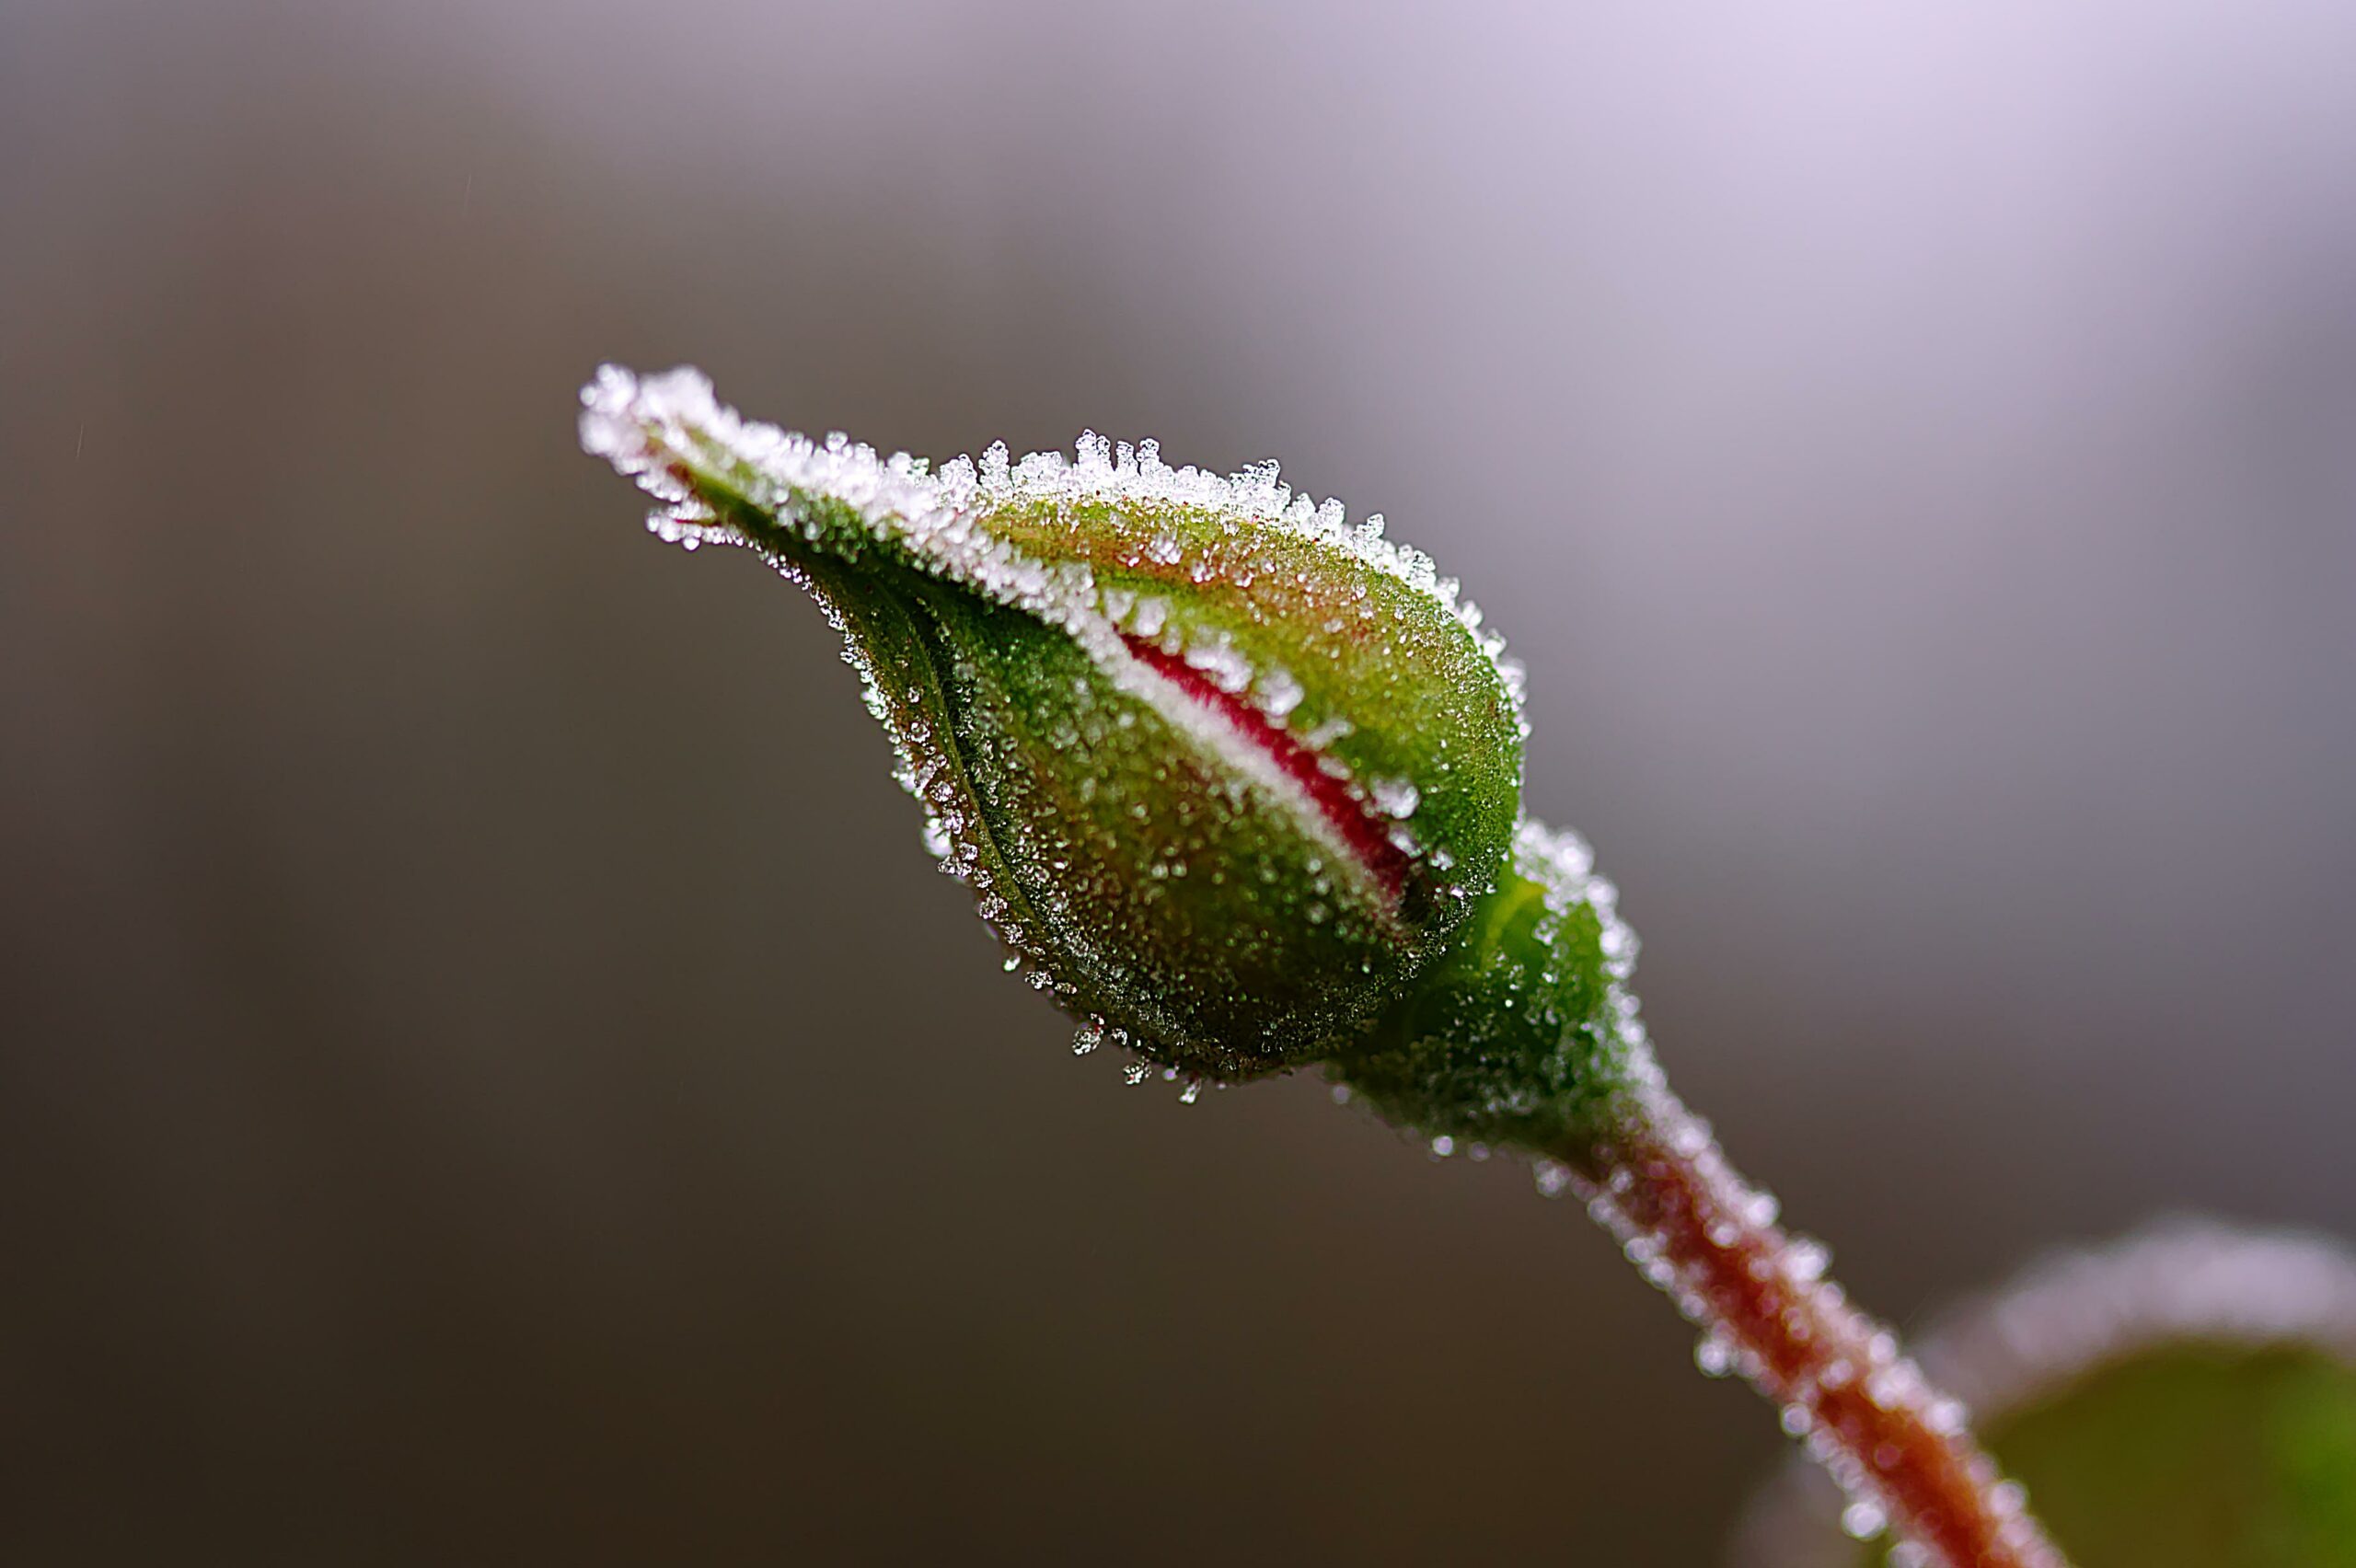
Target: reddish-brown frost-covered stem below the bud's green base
(1862,1409)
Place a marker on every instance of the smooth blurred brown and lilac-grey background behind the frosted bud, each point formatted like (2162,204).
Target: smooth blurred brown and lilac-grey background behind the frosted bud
(487,1070)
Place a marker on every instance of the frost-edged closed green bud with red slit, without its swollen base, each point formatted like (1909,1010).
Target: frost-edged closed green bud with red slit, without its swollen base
(1222,769)
